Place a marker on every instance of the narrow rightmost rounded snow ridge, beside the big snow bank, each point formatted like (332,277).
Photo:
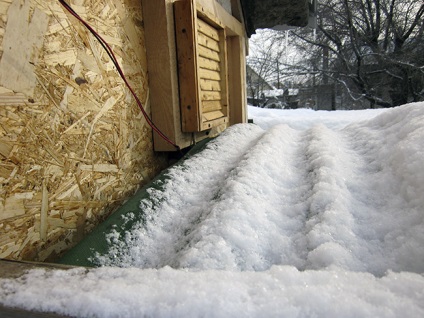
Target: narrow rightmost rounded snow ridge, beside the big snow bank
(328,230)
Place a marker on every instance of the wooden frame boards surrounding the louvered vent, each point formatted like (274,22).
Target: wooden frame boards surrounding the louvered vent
(163,70)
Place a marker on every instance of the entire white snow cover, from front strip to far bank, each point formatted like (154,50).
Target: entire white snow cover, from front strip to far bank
(305,214)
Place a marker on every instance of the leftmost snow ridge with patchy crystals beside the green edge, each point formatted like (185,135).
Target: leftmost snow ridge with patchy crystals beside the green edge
(183,203)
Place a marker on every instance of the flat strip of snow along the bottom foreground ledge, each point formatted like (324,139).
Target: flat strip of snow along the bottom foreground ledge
(282,291)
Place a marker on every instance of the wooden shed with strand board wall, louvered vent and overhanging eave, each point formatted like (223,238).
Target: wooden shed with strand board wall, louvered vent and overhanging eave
(74,143)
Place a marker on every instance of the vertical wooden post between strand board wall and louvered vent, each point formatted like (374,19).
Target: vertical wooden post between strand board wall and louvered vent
(162,71)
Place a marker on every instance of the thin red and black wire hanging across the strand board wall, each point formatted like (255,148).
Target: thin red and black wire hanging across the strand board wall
(112,56)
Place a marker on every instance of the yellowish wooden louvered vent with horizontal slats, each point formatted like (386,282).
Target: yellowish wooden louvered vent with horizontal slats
(202,68)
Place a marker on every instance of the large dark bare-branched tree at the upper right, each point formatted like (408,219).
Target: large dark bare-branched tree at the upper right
(372,47)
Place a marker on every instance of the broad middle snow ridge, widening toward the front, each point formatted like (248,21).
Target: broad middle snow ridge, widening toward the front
(258,230)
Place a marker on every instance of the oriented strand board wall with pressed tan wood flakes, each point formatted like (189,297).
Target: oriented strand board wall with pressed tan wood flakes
(73,143)
